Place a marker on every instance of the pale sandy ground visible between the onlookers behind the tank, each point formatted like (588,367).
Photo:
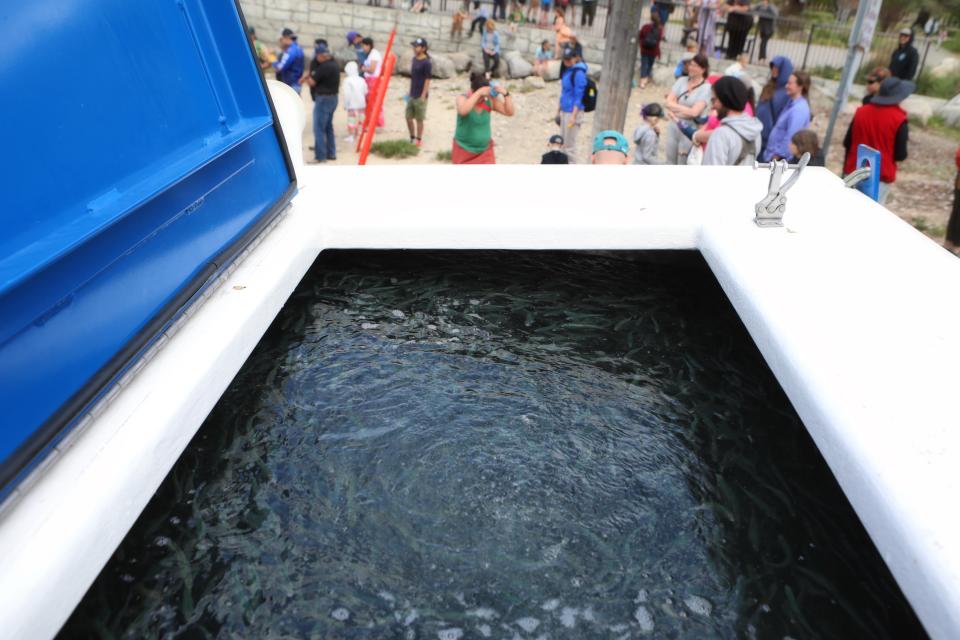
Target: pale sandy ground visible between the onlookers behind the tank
(922,194)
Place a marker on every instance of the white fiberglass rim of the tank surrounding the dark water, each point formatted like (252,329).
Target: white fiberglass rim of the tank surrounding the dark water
(854,311)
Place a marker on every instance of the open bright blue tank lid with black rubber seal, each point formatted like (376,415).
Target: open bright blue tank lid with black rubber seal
(141,153)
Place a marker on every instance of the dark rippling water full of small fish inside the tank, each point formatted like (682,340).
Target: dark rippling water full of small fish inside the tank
(494,444)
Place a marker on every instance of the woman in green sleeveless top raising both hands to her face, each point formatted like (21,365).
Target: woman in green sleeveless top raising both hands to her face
(471,140)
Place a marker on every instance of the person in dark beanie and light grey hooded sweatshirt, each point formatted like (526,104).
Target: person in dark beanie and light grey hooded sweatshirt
(737,140)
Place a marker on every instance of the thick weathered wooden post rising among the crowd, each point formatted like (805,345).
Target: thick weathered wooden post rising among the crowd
(619,62)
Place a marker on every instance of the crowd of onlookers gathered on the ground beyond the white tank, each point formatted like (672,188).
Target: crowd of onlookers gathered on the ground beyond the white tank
(705,118)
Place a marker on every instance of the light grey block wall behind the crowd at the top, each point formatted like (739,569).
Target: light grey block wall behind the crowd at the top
(332,20)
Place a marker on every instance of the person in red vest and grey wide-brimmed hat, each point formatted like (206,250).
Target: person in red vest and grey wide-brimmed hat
(881,124)
